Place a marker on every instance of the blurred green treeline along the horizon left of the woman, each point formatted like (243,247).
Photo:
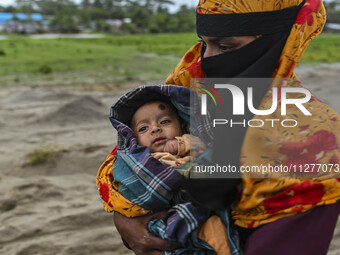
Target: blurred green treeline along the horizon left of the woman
(117,16)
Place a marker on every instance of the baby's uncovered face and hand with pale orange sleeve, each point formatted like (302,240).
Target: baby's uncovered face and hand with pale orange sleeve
(157,126)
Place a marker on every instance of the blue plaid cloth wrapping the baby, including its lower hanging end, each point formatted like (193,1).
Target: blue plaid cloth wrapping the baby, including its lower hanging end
(152,185)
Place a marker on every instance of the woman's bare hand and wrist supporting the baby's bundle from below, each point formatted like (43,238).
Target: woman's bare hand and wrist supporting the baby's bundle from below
(135,232)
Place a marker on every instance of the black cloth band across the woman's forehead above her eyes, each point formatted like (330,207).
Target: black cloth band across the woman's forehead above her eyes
(242,24)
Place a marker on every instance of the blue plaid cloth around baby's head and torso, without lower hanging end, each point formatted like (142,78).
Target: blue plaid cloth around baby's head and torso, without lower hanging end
(143,179)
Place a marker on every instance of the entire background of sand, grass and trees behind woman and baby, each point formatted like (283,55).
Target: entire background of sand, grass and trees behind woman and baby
(62,65)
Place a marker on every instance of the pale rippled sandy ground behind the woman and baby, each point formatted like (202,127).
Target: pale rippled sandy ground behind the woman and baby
(54,208)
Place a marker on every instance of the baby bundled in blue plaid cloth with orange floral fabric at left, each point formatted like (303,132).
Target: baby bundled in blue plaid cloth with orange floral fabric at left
(134,183)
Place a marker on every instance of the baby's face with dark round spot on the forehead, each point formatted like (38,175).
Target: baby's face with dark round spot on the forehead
(154,124)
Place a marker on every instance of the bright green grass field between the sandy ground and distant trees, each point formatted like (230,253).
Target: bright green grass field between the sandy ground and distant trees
(113,59)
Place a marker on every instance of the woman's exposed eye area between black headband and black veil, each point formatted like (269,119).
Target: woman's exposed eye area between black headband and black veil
(219,45)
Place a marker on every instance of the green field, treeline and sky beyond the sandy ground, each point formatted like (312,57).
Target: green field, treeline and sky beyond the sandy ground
(93,42)
